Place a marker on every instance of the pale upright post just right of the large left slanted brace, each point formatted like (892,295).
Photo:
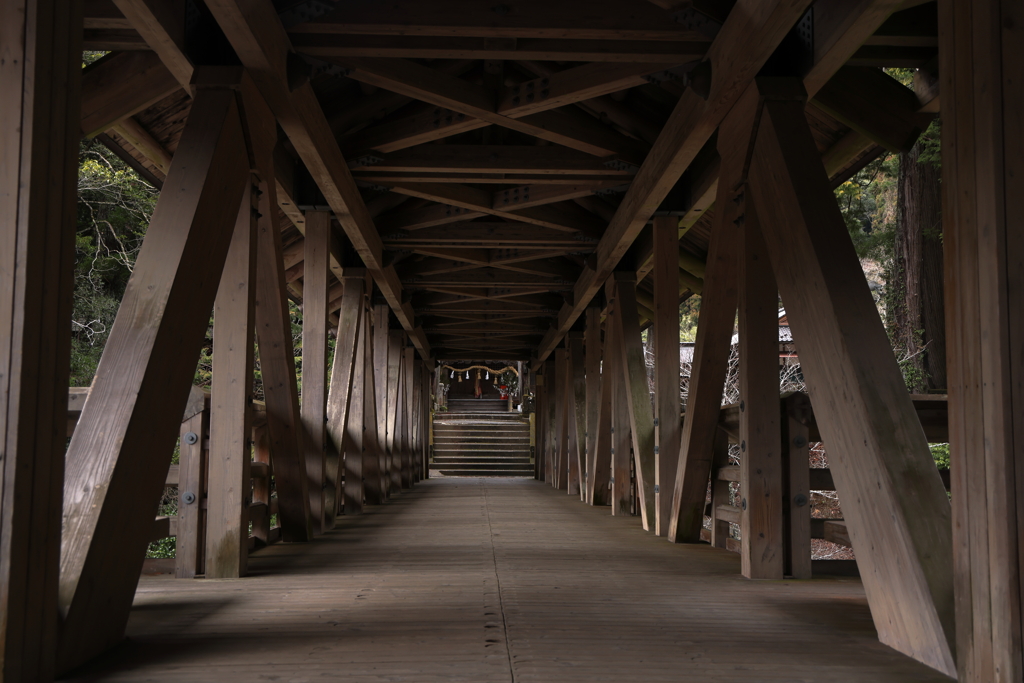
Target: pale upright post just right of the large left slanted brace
(231,402)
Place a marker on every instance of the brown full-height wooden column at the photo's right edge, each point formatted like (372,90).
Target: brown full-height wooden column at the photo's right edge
(982,53)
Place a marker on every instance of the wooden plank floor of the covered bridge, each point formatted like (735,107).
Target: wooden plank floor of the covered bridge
(499,580)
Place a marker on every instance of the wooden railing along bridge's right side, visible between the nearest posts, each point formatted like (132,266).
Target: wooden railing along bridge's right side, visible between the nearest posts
(800,431)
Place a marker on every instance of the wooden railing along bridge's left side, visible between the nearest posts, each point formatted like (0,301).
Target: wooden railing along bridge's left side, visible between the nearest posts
(190,477)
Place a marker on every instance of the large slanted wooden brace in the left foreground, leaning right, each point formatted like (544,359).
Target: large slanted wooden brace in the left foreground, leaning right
(122,447)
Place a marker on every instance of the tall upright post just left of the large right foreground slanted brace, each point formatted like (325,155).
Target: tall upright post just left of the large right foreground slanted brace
(760,440)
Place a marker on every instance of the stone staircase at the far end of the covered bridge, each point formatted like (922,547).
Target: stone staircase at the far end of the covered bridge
(480,438)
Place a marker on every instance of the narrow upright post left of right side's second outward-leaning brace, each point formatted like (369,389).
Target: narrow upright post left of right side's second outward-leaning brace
(622,488)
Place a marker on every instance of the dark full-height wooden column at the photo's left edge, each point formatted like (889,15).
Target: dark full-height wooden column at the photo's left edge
(40,78)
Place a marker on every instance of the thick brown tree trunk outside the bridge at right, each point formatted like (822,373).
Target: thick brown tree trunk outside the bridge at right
(917,319)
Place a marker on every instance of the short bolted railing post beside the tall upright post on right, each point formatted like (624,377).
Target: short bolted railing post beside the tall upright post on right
(797,482)
